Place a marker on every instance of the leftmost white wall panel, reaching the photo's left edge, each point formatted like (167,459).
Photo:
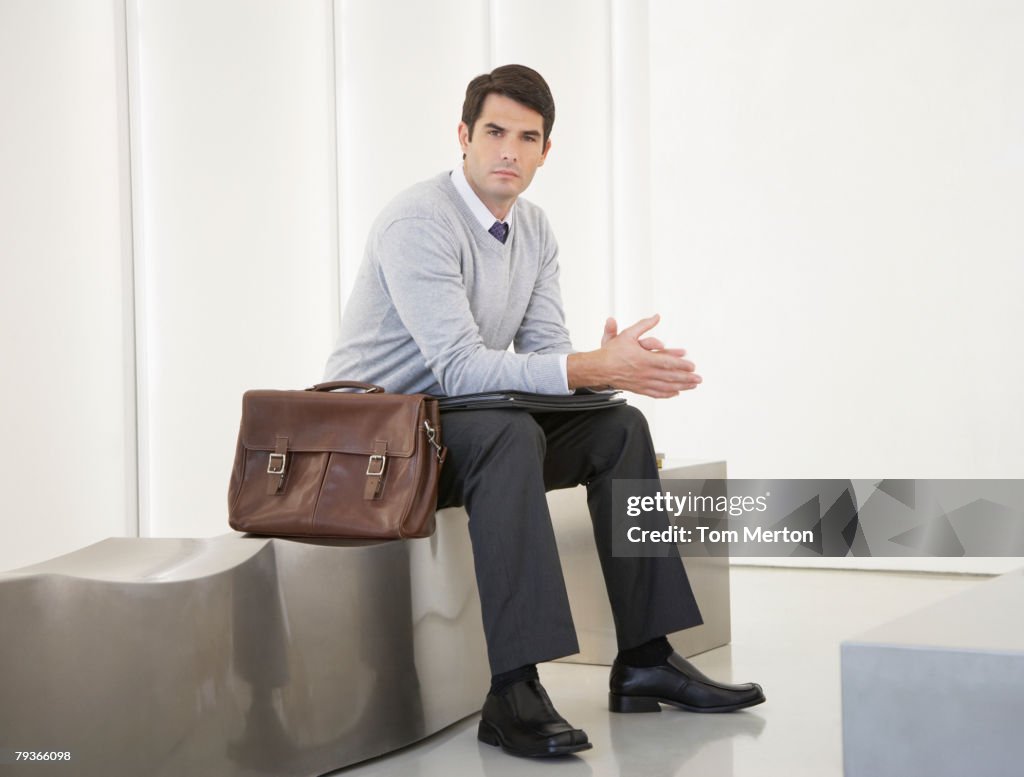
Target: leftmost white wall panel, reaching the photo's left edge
(66,411)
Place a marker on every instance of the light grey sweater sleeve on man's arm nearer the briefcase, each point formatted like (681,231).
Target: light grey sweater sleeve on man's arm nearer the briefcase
(420,269)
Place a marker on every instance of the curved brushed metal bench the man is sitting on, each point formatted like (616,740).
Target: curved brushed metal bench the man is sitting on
(245,656)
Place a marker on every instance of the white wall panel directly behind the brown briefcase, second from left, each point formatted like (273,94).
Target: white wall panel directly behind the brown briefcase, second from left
(237,234)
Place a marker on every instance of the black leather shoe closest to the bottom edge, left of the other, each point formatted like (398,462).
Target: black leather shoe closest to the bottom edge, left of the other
(524,722)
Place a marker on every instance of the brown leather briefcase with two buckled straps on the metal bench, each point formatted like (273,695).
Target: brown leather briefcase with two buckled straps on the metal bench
(356,466)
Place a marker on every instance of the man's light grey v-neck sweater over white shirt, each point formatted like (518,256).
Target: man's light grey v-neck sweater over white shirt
(438,301)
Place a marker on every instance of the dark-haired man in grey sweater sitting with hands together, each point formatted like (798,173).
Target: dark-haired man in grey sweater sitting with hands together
(457,270)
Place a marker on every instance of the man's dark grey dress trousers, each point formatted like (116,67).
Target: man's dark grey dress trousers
(500,464)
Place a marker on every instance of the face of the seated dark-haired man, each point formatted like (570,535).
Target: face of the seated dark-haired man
(506,150)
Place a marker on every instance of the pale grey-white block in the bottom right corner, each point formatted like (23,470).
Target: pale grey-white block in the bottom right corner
(940,693)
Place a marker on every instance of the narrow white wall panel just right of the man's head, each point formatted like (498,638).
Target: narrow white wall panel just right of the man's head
(569,44)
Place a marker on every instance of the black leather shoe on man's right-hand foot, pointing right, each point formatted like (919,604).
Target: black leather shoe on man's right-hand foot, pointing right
(679,683)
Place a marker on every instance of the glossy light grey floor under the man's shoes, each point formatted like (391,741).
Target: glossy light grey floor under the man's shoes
(787,629)
